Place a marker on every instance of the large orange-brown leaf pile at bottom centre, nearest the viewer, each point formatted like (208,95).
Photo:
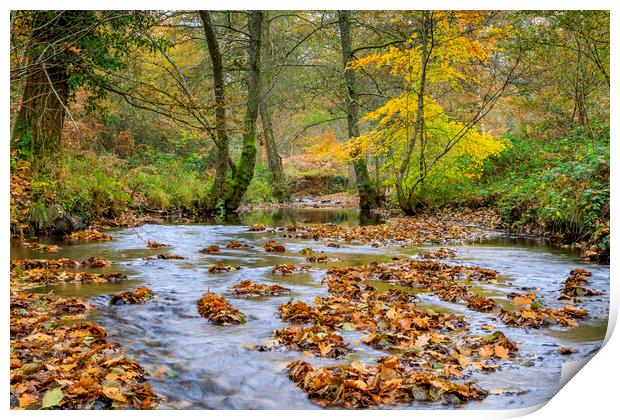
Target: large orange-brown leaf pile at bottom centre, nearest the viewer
(389,382)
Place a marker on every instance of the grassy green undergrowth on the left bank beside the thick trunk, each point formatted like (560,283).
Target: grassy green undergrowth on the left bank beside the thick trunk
(104,185)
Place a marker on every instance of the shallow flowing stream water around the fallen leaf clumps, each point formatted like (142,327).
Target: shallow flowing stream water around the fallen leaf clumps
(198,365)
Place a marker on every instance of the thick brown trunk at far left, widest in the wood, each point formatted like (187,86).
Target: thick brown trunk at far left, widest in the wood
(41,117)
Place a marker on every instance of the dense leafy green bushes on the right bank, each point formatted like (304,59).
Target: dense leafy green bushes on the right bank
(560,186)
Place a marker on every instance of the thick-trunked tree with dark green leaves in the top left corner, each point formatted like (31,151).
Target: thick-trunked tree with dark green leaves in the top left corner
(63,50)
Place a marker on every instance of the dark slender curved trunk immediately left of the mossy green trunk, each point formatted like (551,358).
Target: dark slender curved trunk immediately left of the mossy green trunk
(219,183)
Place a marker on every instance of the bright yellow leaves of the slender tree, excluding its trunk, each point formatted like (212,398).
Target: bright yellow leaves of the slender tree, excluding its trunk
(449,147)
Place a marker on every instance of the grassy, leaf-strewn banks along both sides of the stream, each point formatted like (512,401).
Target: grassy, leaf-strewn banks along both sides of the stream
(47,201)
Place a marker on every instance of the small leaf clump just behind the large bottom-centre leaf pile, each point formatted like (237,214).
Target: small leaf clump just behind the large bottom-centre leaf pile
(313,341)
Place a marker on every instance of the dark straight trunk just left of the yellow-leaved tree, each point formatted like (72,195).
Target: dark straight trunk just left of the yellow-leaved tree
(368,195)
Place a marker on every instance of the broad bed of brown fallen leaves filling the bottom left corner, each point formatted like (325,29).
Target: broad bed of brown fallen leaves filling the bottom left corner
(59,365)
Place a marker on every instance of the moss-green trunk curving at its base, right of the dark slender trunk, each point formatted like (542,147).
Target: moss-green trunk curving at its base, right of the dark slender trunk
(240,181)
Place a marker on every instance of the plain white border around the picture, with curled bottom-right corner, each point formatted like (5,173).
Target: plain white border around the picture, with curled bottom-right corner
(592,394)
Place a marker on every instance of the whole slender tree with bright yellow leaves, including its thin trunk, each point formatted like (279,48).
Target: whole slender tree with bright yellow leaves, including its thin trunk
(427,128)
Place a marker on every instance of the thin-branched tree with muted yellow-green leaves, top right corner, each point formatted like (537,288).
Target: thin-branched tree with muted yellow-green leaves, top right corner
(567,82)
